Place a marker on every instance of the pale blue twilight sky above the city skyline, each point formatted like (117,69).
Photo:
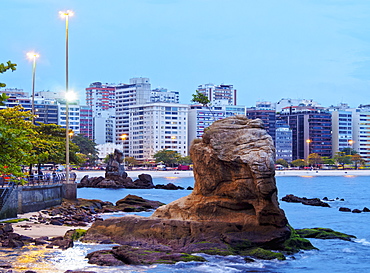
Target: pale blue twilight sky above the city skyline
(268,49)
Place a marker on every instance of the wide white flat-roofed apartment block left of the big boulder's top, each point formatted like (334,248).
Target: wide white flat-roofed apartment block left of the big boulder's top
(157,126)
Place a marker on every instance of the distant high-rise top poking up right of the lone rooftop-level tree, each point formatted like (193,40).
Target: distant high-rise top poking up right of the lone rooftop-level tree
(223,94)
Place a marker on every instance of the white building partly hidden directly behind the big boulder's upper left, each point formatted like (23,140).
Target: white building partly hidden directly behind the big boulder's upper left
(200,117)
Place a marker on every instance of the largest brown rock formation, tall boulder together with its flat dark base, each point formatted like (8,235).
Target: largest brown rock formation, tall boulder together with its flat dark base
(233,206)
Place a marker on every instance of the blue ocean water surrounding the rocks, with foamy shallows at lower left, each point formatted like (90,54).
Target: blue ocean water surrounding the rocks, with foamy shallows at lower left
(332,256)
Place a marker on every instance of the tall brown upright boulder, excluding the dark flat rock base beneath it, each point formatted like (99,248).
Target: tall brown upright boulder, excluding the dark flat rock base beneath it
(234,177)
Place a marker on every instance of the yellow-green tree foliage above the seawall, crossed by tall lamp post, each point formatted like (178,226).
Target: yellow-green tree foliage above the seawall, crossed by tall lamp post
(25,144)
